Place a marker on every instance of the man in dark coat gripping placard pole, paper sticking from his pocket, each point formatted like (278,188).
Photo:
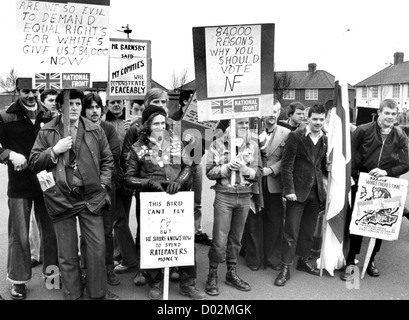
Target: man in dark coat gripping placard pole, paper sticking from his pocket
(80,190)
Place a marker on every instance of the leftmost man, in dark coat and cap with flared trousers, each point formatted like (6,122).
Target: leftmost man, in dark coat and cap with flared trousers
(19,126)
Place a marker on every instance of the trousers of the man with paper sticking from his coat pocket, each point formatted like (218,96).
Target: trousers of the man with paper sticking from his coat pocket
(92,230)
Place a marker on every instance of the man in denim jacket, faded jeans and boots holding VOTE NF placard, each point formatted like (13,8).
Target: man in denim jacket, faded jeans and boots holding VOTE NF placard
(232,200)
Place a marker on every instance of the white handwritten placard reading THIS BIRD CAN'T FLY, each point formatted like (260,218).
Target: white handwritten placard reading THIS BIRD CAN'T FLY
(167,229)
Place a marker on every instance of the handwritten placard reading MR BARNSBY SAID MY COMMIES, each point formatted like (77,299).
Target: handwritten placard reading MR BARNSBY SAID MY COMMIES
(129,68)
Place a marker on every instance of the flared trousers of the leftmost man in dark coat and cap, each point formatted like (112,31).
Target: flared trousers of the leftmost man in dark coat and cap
(19,255)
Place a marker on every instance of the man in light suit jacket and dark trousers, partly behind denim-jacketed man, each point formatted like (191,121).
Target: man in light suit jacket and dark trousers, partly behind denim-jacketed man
(264,229)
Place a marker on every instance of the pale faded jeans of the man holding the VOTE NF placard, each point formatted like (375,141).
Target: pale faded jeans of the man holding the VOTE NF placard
(230,214)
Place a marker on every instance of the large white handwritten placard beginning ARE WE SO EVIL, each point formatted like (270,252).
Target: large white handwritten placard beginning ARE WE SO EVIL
(63,37)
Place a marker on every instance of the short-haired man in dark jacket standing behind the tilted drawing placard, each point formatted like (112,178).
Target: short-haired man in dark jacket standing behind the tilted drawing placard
(381,149)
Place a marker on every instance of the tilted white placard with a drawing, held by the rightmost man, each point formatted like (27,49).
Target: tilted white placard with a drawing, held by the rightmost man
(378,207)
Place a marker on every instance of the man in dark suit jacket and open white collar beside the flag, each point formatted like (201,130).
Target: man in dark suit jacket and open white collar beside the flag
(302,167)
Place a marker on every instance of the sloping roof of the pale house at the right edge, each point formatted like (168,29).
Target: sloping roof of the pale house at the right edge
(393,74)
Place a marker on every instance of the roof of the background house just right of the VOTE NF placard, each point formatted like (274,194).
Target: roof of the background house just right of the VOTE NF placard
(319,79)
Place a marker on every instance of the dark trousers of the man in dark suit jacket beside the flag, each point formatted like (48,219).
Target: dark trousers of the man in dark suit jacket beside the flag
(300,223)
